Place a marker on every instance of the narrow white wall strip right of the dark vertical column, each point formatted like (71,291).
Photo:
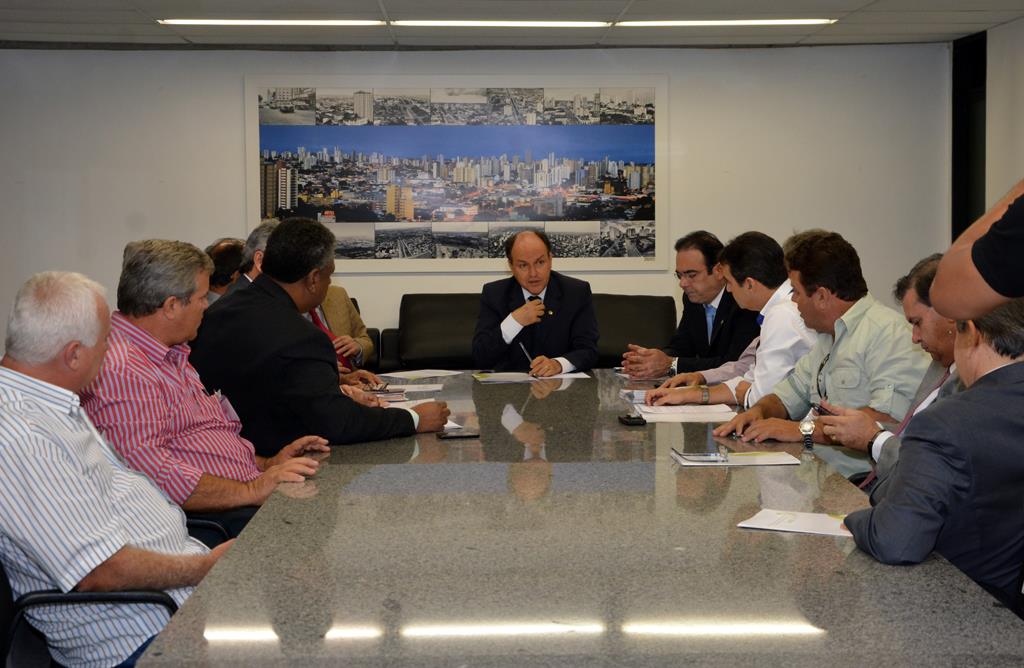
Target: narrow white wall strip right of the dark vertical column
(1005,110)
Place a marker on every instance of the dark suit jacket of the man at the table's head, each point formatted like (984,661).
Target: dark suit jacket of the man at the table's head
(569,331)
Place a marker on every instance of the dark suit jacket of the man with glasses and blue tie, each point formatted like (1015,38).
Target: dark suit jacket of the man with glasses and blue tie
(734,330)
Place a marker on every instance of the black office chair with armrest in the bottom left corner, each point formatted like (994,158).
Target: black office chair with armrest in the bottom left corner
(24,647)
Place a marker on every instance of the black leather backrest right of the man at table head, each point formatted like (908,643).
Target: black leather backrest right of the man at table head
(645,320)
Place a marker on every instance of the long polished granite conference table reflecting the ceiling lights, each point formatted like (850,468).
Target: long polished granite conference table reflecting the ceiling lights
(564,538)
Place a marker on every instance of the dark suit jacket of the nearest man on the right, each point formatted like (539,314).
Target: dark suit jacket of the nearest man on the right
(958,488)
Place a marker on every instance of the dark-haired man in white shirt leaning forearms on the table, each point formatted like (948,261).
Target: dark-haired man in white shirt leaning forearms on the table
(754,269)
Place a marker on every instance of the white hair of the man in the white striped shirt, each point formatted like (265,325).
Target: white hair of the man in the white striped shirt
(52,310)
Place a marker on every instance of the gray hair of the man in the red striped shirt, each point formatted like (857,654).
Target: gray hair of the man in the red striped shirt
(155,270)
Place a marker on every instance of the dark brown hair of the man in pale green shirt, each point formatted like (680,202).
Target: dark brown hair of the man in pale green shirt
(827,261)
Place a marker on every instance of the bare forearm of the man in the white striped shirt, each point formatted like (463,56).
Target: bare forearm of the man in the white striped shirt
(132,568)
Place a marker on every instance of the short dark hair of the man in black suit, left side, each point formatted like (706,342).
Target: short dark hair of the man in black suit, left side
(296,247)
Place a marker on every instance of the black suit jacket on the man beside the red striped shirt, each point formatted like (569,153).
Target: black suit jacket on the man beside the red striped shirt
(281,373)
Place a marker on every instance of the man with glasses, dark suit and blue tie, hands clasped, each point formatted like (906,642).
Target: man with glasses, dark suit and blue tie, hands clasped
(713,330)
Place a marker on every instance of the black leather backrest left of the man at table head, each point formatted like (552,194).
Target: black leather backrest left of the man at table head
(437,330)
